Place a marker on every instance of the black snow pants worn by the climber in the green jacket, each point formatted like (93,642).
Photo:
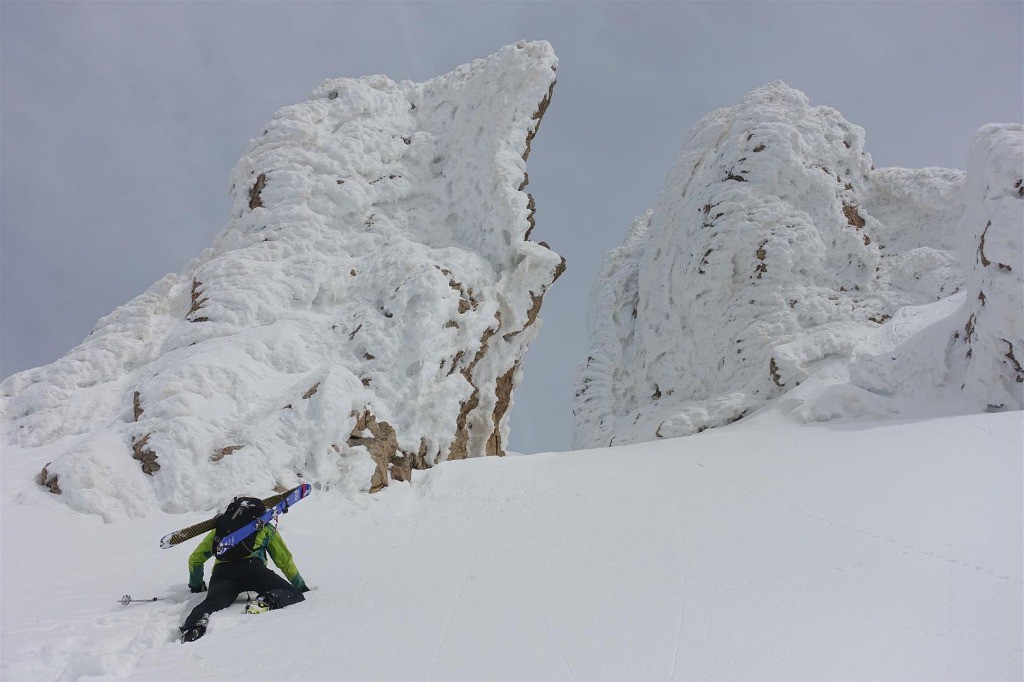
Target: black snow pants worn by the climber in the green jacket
(230,579)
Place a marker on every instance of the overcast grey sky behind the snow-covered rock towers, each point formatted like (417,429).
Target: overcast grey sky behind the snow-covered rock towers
(121,122)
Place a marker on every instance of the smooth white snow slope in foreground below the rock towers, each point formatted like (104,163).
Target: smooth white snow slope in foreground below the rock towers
(760,551)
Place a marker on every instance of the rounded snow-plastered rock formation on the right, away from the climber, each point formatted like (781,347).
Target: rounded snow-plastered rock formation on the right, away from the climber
(780,267)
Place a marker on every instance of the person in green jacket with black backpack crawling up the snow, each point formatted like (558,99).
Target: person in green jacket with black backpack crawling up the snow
(241,569)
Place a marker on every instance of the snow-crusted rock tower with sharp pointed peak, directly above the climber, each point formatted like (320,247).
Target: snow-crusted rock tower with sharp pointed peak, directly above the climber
(365,313)
